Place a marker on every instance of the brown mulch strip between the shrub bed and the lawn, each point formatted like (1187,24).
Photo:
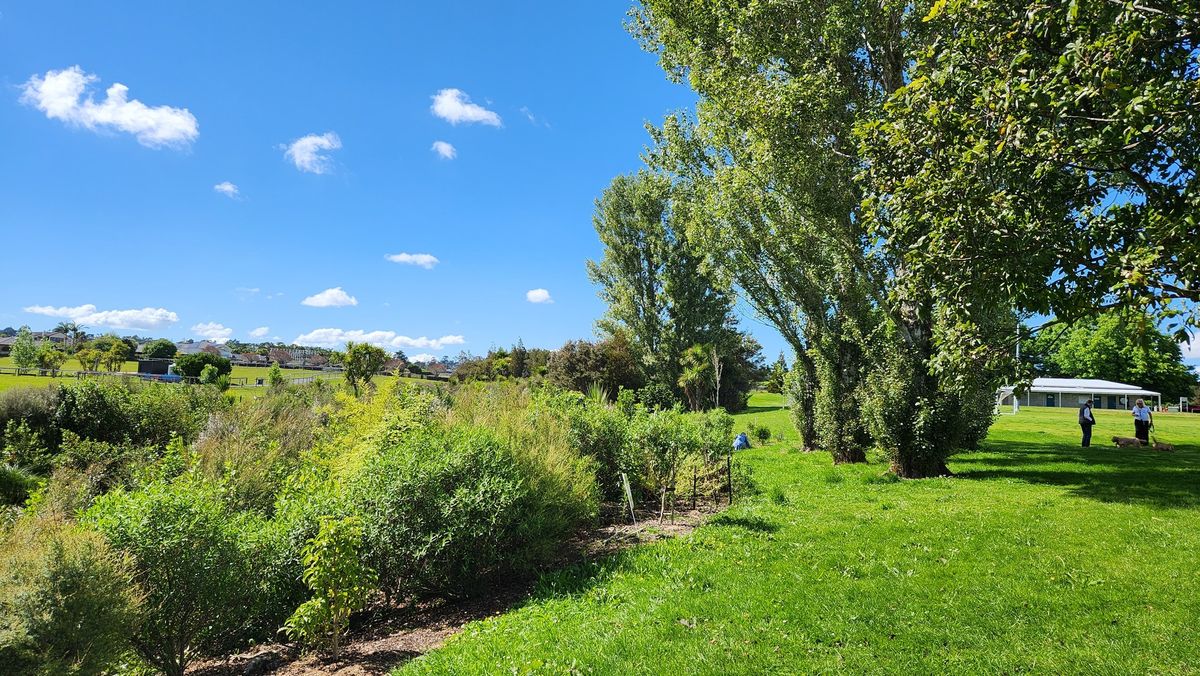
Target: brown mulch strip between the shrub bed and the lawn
(386,637)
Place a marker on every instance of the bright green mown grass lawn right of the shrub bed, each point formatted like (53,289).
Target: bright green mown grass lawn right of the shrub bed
(1037,557)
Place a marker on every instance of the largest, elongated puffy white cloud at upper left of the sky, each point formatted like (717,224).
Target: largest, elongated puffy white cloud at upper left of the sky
(62,97)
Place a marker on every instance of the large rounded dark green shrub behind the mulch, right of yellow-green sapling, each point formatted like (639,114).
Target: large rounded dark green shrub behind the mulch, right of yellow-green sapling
(441,512)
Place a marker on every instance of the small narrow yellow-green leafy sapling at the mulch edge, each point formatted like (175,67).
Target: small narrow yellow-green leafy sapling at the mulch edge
(340,583)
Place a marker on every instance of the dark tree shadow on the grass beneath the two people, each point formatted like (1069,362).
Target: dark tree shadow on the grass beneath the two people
(1138,476)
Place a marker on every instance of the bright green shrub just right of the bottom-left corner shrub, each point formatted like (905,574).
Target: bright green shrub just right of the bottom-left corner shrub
(189,559)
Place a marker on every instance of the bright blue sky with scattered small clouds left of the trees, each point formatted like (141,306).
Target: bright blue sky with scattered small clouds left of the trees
(112,199)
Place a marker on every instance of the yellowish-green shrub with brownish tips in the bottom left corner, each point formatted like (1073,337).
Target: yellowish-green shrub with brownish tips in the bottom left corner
(68,605)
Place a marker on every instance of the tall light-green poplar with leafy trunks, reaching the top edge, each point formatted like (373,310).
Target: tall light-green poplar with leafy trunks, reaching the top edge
(785,89)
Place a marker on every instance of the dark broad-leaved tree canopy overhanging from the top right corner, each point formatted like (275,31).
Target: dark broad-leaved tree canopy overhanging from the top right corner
(1047,153)
